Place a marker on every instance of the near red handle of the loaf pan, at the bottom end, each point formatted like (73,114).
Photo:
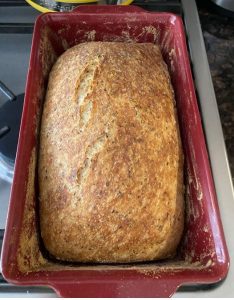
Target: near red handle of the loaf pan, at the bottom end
(149,287)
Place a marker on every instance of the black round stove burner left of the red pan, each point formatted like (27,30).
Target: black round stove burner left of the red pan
(10,116)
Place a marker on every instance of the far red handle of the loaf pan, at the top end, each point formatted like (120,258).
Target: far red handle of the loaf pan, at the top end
(96,9)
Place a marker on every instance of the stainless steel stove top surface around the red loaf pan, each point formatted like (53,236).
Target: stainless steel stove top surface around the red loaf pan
(16,27)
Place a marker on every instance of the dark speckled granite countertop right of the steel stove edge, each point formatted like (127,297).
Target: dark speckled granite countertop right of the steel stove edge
(218,32)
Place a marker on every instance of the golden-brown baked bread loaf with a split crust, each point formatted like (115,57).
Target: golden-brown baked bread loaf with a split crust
(110,157)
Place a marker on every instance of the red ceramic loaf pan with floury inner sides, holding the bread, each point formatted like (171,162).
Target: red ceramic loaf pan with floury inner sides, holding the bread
(202,256)
